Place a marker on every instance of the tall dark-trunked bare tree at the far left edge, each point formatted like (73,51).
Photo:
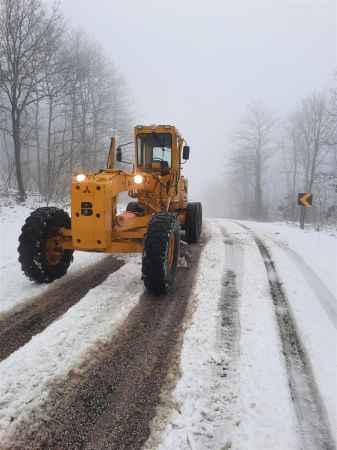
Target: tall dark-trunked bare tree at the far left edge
(26,28)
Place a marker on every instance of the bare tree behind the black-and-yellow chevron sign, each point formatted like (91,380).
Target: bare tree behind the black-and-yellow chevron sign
(310,152)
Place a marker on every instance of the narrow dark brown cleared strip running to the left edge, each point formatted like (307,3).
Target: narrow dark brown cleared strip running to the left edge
(18,327)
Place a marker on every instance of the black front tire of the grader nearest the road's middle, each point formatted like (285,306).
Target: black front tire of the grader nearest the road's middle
(161,252)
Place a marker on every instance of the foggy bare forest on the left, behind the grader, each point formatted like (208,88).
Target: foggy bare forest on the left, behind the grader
(61,98)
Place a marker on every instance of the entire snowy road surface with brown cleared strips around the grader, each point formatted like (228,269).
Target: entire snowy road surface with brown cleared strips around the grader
(211,367)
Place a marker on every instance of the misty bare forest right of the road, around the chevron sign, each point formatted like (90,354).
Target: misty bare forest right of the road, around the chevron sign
(272,159)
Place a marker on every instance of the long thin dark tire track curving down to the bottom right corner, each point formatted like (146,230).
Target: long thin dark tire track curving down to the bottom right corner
(309,408)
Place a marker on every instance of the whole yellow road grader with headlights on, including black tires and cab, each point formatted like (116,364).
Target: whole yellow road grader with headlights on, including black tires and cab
(151,224)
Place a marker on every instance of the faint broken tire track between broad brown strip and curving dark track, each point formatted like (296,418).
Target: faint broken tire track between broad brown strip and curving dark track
(224,386)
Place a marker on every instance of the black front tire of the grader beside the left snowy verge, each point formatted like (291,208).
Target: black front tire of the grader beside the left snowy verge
(41,261)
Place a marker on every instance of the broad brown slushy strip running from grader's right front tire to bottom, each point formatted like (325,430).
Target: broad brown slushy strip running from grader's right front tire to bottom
(109,402)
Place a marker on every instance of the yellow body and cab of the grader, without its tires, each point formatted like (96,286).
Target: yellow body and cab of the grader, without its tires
(97,226)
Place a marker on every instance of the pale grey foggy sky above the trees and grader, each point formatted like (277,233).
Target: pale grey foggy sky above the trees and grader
(197,64)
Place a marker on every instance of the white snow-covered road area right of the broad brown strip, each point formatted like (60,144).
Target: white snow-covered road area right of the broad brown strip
(246,399)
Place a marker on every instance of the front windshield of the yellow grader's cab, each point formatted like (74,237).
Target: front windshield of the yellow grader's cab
(154,150)
